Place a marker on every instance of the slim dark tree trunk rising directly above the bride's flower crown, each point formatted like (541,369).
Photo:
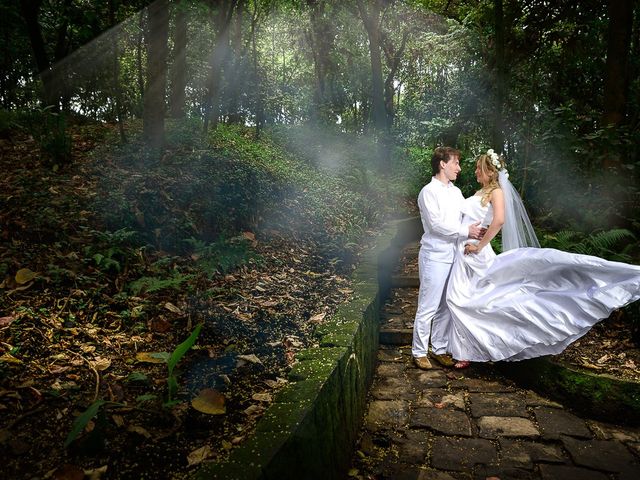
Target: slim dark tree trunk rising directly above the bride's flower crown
(497,135)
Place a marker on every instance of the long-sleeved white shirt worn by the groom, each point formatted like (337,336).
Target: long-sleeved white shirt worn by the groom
(441,213)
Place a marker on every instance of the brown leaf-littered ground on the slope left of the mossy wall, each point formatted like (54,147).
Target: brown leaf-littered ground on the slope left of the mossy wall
(70,336)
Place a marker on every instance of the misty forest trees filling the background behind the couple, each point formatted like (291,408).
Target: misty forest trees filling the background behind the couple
(553,85)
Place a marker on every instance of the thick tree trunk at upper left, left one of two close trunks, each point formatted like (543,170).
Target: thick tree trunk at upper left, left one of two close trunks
(154,101)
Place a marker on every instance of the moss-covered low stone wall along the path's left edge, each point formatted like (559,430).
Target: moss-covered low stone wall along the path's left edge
(310,430)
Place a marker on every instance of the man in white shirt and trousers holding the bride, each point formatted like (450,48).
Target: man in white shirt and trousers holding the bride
(440,205)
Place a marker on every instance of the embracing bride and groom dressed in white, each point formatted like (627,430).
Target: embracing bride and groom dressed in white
(474,305)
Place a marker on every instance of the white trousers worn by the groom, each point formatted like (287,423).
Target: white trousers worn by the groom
(432,316)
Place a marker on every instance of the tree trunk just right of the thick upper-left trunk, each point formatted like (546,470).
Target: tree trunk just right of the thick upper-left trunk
(179,71)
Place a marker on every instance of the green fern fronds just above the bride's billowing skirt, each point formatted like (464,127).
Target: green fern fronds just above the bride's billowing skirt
(602,244)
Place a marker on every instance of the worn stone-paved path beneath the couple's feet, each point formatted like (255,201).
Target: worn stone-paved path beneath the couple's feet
(446,424)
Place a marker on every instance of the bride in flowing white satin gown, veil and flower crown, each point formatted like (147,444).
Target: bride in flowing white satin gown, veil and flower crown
(525,302)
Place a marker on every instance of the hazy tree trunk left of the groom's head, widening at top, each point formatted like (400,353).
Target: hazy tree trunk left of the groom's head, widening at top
(371,20)
